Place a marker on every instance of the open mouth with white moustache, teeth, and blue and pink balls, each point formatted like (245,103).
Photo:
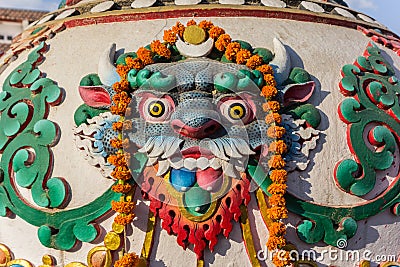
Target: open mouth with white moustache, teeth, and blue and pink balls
(205,165)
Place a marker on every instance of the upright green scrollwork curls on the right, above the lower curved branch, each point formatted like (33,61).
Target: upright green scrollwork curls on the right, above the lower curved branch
(372,106)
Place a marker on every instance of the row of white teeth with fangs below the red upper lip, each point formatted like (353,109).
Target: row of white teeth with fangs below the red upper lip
(202,163)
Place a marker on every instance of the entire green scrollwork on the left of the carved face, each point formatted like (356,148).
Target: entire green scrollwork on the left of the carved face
(26,139)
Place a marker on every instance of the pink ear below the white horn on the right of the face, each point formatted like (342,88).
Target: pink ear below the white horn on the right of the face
(295,93)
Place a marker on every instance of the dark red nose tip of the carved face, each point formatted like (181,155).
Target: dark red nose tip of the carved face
(205,130)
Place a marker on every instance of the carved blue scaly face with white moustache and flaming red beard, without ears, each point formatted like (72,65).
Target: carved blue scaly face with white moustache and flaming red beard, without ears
(196,122)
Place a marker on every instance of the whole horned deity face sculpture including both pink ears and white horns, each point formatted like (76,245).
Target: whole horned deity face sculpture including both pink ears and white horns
(200,124)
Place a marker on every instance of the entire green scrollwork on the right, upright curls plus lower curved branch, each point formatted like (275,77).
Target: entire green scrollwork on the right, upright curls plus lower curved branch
(370,111)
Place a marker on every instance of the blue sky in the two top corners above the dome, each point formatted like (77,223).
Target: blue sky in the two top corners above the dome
(385,11)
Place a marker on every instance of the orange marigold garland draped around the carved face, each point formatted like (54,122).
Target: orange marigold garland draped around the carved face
(234,52)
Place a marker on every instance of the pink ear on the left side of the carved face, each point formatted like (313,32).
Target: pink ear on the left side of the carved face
(95,96)
